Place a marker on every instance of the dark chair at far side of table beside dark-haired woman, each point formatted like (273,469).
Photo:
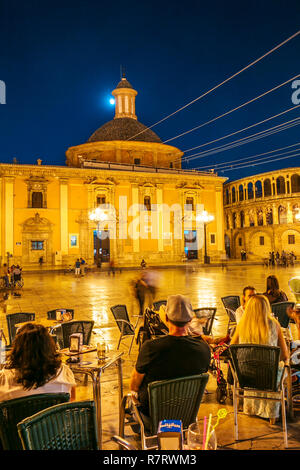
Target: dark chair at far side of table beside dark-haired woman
(64,330)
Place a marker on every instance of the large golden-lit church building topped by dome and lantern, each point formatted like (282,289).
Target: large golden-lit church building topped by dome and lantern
(147,205)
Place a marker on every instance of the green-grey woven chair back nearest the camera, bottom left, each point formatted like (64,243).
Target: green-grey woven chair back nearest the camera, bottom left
(69,426)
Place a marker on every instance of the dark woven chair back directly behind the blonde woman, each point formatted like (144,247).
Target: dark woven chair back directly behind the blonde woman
(256,366)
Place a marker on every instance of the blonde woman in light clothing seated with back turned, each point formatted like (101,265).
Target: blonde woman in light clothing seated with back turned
(257,326)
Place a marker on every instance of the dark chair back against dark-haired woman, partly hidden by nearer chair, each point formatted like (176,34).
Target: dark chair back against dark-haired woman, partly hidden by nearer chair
(13,411)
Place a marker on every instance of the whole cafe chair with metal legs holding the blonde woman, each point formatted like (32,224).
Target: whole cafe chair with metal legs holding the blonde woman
(255,369)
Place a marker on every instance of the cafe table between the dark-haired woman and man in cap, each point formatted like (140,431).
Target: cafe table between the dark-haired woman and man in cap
(89,364)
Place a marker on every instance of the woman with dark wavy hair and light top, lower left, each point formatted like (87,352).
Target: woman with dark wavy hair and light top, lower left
(34,366)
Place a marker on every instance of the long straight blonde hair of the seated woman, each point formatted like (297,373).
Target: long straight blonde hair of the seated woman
(254,326)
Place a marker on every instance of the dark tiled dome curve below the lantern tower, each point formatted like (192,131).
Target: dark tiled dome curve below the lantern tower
(123,129)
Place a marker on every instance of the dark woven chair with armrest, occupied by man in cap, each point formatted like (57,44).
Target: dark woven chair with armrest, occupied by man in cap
(168,399)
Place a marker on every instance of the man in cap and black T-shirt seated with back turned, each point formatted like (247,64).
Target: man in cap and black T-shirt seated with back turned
(175,355)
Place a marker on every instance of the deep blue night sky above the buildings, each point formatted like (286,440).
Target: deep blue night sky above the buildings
(61,60)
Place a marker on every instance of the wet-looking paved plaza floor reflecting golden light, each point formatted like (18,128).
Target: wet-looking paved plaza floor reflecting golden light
(92,296)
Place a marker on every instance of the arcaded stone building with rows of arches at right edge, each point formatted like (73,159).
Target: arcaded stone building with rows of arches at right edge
(261,214)
